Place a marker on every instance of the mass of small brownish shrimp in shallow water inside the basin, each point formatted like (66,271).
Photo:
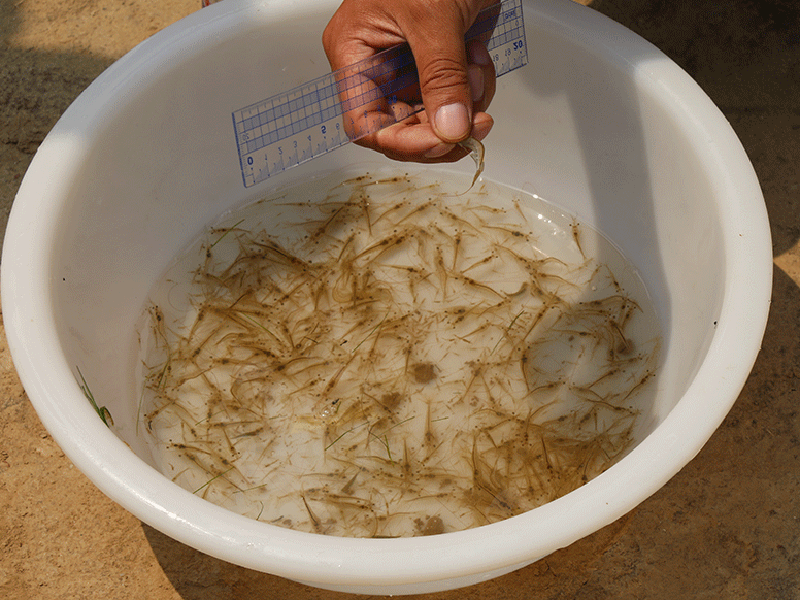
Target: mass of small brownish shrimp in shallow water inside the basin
(391,360)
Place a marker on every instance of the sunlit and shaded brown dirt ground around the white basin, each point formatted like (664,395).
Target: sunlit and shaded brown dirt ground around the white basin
(725,527)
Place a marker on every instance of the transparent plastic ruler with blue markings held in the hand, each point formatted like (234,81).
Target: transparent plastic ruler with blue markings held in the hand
(291,128)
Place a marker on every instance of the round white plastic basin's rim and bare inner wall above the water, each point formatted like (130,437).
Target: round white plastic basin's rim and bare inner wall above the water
(600,122)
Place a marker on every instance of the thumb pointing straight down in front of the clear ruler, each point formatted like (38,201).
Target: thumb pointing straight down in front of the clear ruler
(437,43)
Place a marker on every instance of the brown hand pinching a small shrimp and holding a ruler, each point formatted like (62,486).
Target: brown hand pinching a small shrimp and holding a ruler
(457,81)
